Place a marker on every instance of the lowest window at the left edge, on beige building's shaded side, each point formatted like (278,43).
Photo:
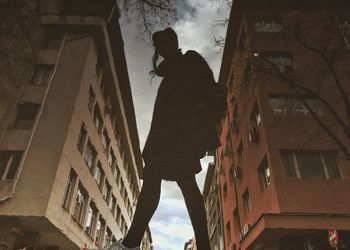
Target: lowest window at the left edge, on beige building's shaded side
(9,163)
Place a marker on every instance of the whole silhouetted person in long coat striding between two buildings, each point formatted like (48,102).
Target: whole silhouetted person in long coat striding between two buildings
(181,133)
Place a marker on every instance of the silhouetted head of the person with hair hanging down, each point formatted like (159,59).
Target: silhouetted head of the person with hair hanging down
(165,43)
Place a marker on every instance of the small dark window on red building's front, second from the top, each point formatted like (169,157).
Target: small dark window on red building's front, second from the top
(283,61)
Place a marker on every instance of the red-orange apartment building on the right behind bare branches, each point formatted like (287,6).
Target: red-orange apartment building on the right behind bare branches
(284,161)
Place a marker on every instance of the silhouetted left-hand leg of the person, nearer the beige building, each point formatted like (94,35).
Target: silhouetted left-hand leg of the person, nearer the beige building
(146,206)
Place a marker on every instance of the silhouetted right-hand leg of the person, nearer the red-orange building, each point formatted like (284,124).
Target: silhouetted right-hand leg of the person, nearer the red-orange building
(195,206)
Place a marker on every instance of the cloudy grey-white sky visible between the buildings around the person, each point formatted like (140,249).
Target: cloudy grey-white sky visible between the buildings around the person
(170,226)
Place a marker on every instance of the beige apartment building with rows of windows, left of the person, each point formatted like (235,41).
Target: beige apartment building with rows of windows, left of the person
(70,162)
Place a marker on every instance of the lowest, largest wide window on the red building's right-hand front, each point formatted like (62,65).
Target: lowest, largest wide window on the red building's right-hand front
(311,164)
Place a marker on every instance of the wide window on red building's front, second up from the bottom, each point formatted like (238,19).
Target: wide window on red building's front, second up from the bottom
(289,105)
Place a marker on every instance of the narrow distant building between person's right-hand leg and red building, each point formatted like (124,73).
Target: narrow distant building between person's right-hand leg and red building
(212,202)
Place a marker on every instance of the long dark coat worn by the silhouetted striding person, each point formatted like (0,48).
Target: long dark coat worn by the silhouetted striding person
(181,131)
